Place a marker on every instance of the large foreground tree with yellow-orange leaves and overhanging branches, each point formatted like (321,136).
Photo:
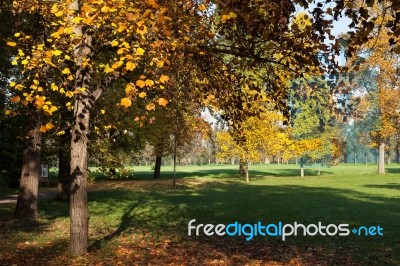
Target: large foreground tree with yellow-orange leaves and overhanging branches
(91,44)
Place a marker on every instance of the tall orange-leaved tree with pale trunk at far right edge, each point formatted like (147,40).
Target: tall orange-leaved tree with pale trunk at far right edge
(376,55)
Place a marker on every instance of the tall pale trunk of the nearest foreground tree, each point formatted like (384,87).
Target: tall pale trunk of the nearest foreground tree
(79,211)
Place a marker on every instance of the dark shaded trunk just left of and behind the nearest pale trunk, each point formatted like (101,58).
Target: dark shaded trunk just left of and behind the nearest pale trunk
(64,168)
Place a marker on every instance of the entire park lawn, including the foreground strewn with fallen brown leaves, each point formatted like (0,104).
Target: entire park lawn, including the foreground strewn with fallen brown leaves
(142,221)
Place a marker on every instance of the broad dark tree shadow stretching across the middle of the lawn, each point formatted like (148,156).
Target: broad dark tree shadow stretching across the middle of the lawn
(169,213)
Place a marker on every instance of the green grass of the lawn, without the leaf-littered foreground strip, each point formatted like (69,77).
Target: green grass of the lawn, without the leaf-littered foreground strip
(352,194)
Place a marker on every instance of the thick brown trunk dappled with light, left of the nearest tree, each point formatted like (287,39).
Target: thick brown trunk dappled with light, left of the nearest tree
(27,202)
